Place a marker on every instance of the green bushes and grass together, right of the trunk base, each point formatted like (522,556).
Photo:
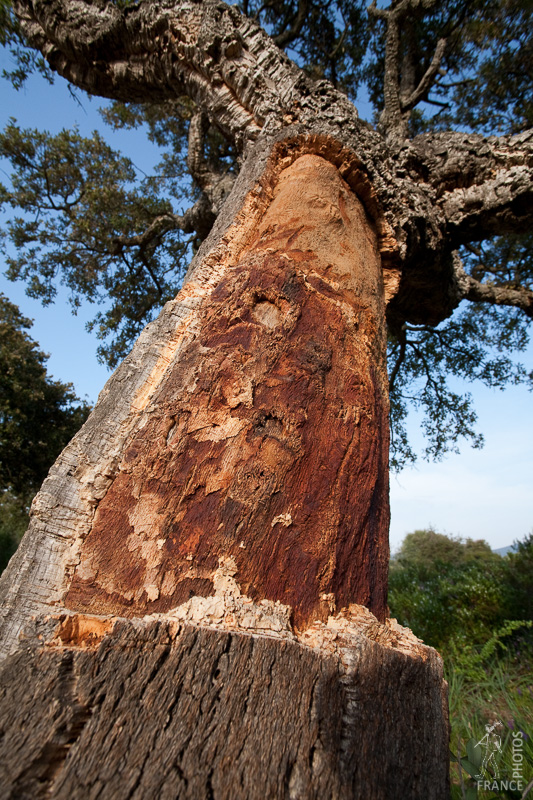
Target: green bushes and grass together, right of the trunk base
(475,607)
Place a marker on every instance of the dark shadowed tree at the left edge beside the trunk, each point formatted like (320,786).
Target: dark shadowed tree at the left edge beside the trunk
(38,415)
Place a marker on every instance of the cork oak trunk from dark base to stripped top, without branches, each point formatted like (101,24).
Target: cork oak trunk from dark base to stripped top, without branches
(234,474)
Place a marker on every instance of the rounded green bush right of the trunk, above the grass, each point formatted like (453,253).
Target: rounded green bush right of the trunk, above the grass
(459,596)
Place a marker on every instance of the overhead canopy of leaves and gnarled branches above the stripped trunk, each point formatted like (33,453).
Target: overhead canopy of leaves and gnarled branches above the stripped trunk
(81,214)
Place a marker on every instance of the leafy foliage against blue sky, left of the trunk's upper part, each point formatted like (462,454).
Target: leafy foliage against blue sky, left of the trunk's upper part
(83,215)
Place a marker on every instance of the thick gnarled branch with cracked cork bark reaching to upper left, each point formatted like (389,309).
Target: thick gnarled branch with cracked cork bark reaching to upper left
(150,51)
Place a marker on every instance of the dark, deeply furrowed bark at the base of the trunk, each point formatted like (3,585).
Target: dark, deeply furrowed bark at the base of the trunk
(116,710)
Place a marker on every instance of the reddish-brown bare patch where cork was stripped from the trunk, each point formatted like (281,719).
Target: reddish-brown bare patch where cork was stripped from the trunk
(267,441)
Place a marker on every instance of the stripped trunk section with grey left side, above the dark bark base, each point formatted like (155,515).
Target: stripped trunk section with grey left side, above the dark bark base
(257,435)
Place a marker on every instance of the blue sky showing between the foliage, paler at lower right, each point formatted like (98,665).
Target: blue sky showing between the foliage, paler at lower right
(478,493)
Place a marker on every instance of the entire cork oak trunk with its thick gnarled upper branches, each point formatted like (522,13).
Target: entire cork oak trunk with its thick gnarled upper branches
(231,482)
